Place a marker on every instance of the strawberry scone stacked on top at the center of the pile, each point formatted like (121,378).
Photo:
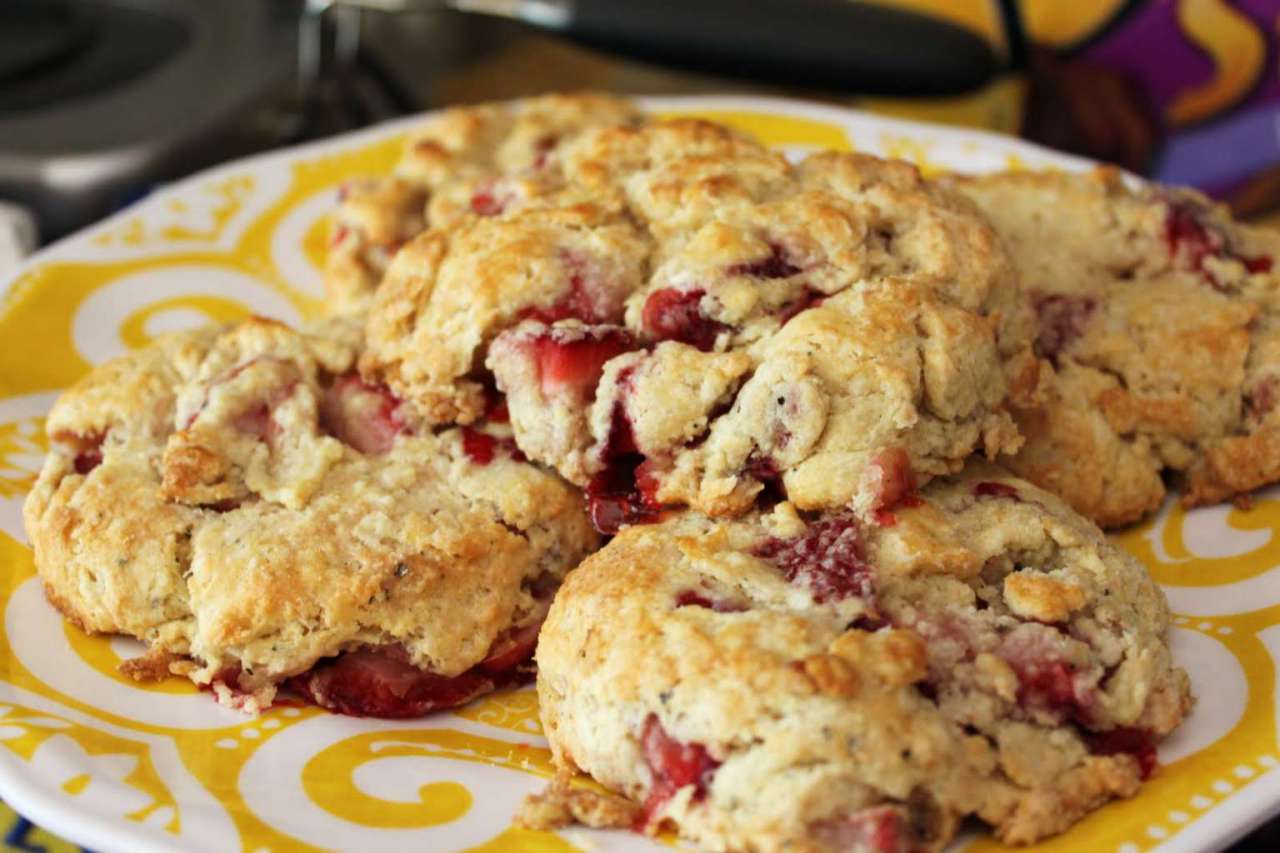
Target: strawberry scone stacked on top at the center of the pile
(694,321)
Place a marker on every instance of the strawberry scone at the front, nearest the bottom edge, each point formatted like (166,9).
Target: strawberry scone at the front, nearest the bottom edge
(813,683)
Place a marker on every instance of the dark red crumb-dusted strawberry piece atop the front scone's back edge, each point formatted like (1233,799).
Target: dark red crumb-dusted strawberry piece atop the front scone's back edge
(830,559)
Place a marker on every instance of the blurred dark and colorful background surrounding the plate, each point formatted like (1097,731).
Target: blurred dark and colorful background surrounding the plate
(104,101)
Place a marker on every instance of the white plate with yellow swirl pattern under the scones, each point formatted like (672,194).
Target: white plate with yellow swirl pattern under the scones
(104,759)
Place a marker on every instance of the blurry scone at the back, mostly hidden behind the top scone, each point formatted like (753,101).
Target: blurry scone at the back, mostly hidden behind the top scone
(470,161)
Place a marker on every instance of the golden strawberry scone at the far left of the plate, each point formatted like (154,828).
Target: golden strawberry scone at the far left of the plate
(243,503)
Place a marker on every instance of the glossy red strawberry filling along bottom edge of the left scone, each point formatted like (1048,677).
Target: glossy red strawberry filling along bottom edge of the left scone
(380,682)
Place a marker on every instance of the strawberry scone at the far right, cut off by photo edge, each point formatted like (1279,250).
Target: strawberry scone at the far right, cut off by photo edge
(1162,318)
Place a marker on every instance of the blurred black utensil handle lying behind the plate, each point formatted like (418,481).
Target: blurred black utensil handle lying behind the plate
(826,44)
